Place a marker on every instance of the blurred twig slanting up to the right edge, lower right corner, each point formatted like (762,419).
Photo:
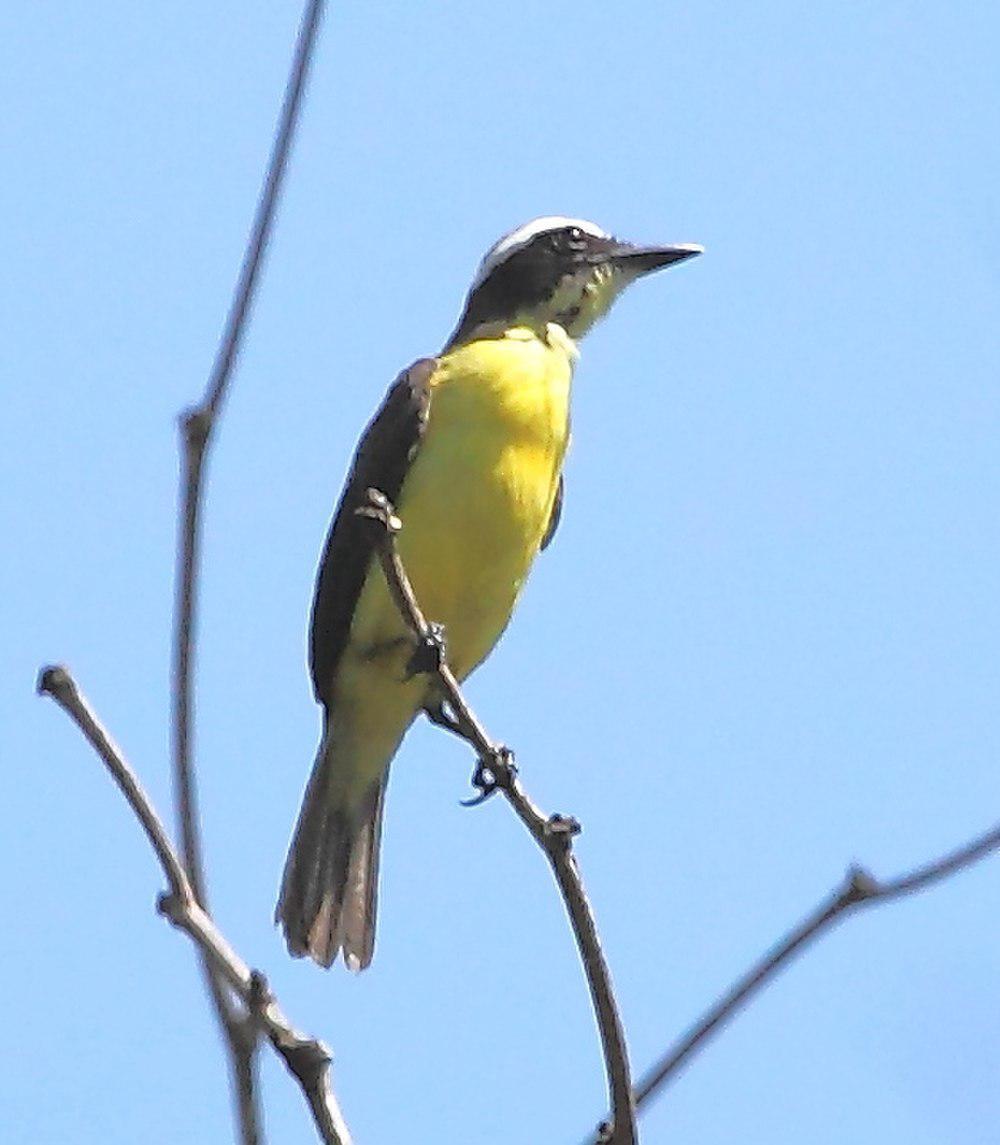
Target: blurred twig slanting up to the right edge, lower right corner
(860,889)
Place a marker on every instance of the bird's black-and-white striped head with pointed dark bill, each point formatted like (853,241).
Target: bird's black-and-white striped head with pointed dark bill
(556,270)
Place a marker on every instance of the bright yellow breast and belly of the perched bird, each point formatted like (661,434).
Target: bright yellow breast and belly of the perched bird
(475,507)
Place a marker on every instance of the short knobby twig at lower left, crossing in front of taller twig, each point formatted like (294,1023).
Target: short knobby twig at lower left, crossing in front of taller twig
(306,1059)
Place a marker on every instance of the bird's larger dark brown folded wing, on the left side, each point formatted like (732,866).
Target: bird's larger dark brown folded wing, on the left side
(383,459)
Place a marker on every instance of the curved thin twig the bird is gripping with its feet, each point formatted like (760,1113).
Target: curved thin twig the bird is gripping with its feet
(554,834)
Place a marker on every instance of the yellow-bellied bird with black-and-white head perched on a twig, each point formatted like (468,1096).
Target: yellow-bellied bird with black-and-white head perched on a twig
(469,447)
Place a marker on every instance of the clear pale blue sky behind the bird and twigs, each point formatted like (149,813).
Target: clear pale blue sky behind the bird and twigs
(765,645)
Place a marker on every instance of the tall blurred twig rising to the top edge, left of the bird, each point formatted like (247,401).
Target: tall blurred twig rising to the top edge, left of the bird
(198,427)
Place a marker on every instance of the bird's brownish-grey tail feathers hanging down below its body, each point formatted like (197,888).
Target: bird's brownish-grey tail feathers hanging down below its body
(330,883)
